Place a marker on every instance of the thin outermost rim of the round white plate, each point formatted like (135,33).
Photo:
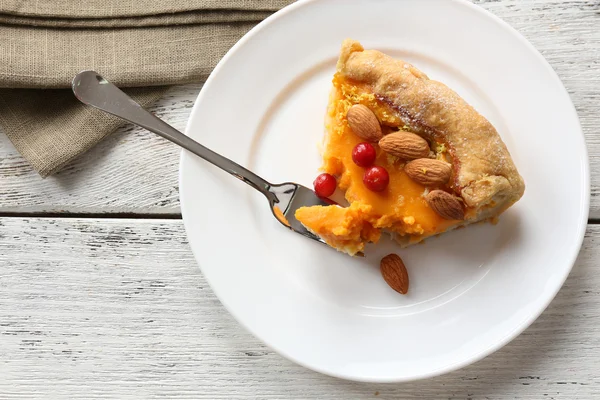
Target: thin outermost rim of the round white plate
(583,221)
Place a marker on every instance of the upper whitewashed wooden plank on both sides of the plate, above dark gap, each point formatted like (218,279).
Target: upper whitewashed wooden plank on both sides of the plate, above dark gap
(134,171)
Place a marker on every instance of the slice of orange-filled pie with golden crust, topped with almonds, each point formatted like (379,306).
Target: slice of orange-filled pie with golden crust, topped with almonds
(446,164)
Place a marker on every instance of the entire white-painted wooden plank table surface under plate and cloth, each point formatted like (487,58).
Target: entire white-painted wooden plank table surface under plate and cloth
(100,295)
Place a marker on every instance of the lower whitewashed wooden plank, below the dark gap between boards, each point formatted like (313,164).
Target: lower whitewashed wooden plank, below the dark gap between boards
(116,308)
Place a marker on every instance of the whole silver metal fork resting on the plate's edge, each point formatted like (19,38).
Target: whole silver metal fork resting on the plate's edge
(284,198)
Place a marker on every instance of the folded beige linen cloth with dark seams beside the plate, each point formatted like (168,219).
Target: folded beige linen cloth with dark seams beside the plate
(142,45)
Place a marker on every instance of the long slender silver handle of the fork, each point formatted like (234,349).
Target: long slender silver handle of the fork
(92,89)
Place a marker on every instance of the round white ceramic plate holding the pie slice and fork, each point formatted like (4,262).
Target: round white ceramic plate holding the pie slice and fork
(472,290)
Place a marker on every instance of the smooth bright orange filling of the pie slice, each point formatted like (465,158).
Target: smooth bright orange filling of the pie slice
(401,208)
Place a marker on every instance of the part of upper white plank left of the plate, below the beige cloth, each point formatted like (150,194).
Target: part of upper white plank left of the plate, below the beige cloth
(132,171)
